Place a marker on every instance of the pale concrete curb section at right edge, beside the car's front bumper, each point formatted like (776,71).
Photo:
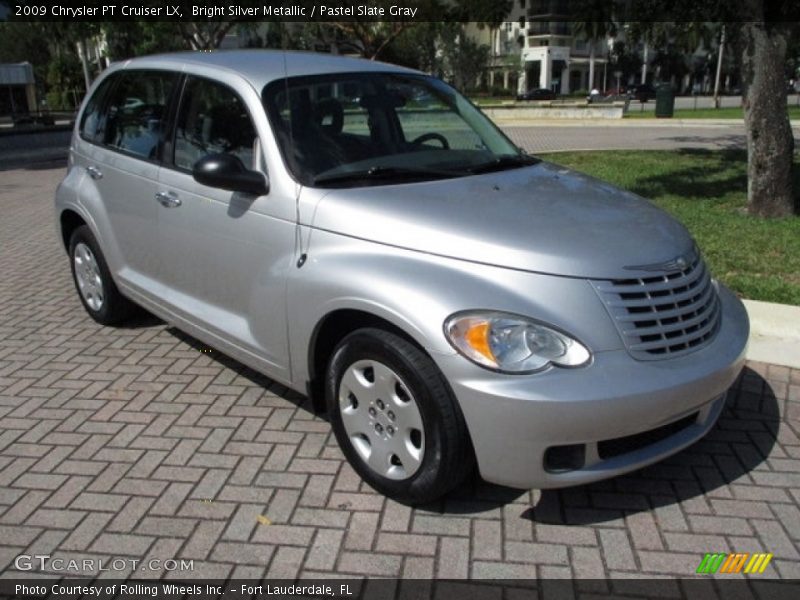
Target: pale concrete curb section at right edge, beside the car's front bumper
(774,333)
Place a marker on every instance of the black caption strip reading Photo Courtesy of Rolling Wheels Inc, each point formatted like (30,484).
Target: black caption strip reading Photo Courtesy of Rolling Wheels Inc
(395,589)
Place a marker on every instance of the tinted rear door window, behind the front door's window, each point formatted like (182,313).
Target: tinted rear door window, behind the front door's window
(137,112)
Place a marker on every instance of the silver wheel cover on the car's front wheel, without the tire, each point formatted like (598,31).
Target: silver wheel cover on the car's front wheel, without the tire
(382,419)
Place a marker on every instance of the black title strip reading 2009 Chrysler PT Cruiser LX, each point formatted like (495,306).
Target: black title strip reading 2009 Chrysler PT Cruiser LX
(774,11)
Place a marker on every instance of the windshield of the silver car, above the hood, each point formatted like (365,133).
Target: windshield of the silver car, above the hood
(351,129)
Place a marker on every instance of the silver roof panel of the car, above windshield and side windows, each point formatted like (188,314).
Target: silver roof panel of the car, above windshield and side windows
(260,67)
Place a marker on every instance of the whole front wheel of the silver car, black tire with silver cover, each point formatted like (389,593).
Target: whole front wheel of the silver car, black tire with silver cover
(395,417)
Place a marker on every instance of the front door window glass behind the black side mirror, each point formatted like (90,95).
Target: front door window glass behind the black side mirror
(212,119)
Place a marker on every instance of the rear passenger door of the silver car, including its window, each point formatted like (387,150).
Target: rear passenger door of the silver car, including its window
(119,148)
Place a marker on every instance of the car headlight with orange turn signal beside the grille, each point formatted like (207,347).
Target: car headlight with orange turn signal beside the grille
(511,343)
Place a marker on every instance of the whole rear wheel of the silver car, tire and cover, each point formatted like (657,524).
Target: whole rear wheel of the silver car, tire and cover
(93,282)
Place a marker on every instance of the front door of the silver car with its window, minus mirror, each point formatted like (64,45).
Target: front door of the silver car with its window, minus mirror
(225,254)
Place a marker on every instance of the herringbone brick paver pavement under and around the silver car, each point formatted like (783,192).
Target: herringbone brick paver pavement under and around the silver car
(134,443)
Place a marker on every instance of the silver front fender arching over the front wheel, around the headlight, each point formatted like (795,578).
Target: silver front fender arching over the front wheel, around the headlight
(417,292)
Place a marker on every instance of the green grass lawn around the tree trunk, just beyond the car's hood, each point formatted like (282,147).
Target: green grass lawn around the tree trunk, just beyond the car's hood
(707,191)
